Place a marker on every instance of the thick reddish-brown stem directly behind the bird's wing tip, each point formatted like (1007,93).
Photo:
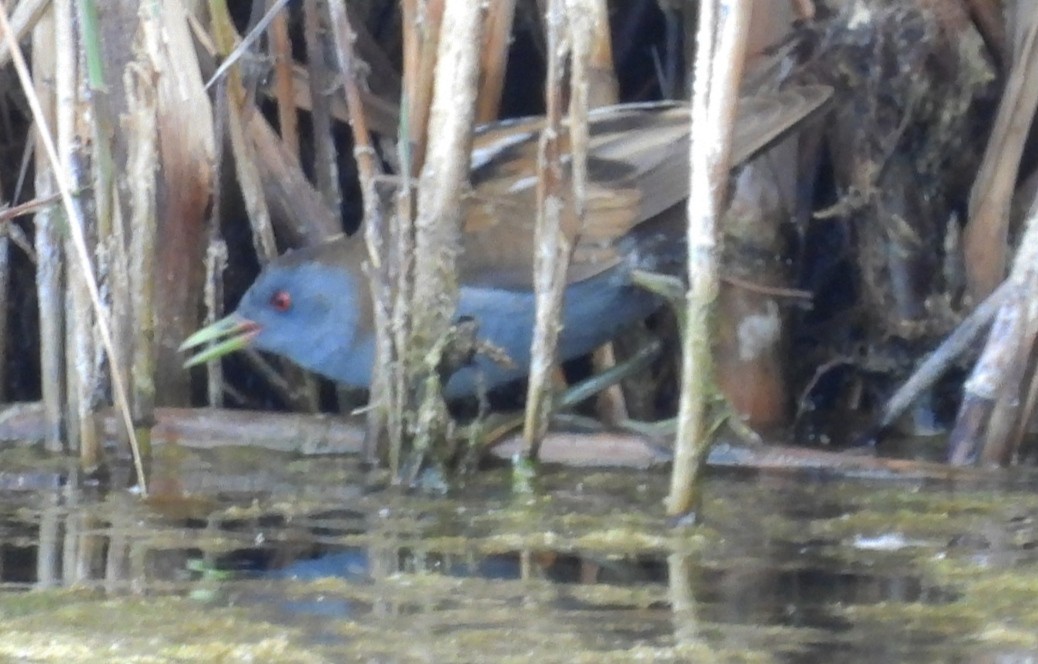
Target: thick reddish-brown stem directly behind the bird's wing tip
(752,339)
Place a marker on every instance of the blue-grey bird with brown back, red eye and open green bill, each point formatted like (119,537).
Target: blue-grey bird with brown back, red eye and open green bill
(313,306)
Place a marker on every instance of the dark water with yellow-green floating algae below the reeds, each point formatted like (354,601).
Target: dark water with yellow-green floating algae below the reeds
(244,556)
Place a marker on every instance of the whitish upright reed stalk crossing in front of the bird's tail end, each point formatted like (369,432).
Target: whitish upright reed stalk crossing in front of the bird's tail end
(721,52)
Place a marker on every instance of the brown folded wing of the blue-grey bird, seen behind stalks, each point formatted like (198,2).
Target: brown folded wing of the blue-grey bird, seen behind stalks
(638,168)
